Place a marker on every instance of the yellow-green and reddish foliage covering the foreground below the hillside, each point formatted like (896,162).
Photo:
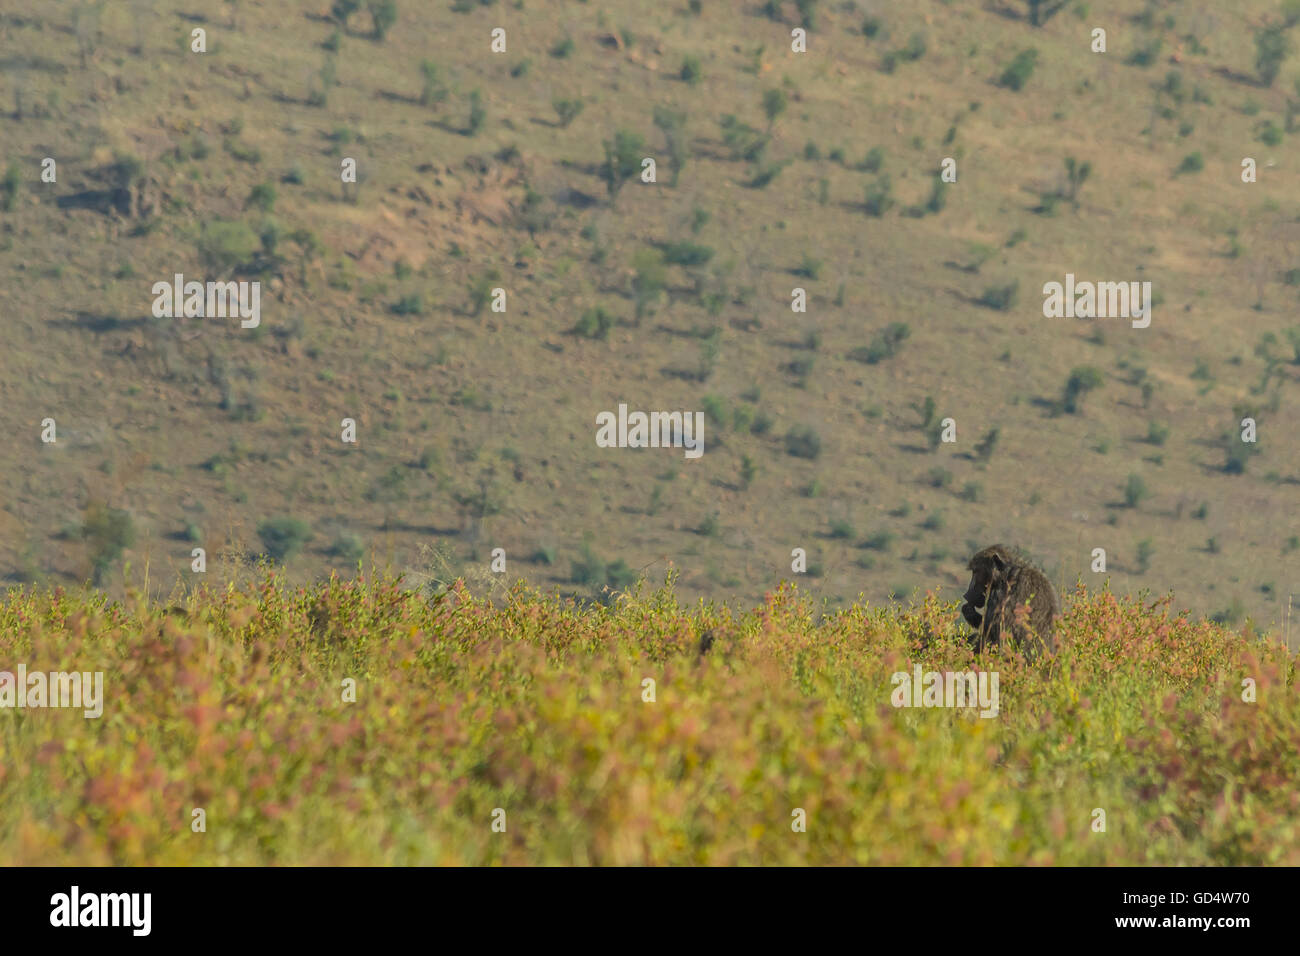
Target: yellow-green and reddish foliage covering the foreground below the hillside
(535,706)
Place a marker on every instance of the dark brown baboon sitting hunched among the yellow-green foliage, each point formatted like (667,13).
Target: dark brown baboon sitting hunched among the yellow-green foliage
(1003,583)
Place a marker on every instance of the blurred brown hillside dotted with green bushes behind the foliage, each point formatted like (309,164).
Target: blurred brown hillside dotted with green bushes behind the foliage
(480,171)
